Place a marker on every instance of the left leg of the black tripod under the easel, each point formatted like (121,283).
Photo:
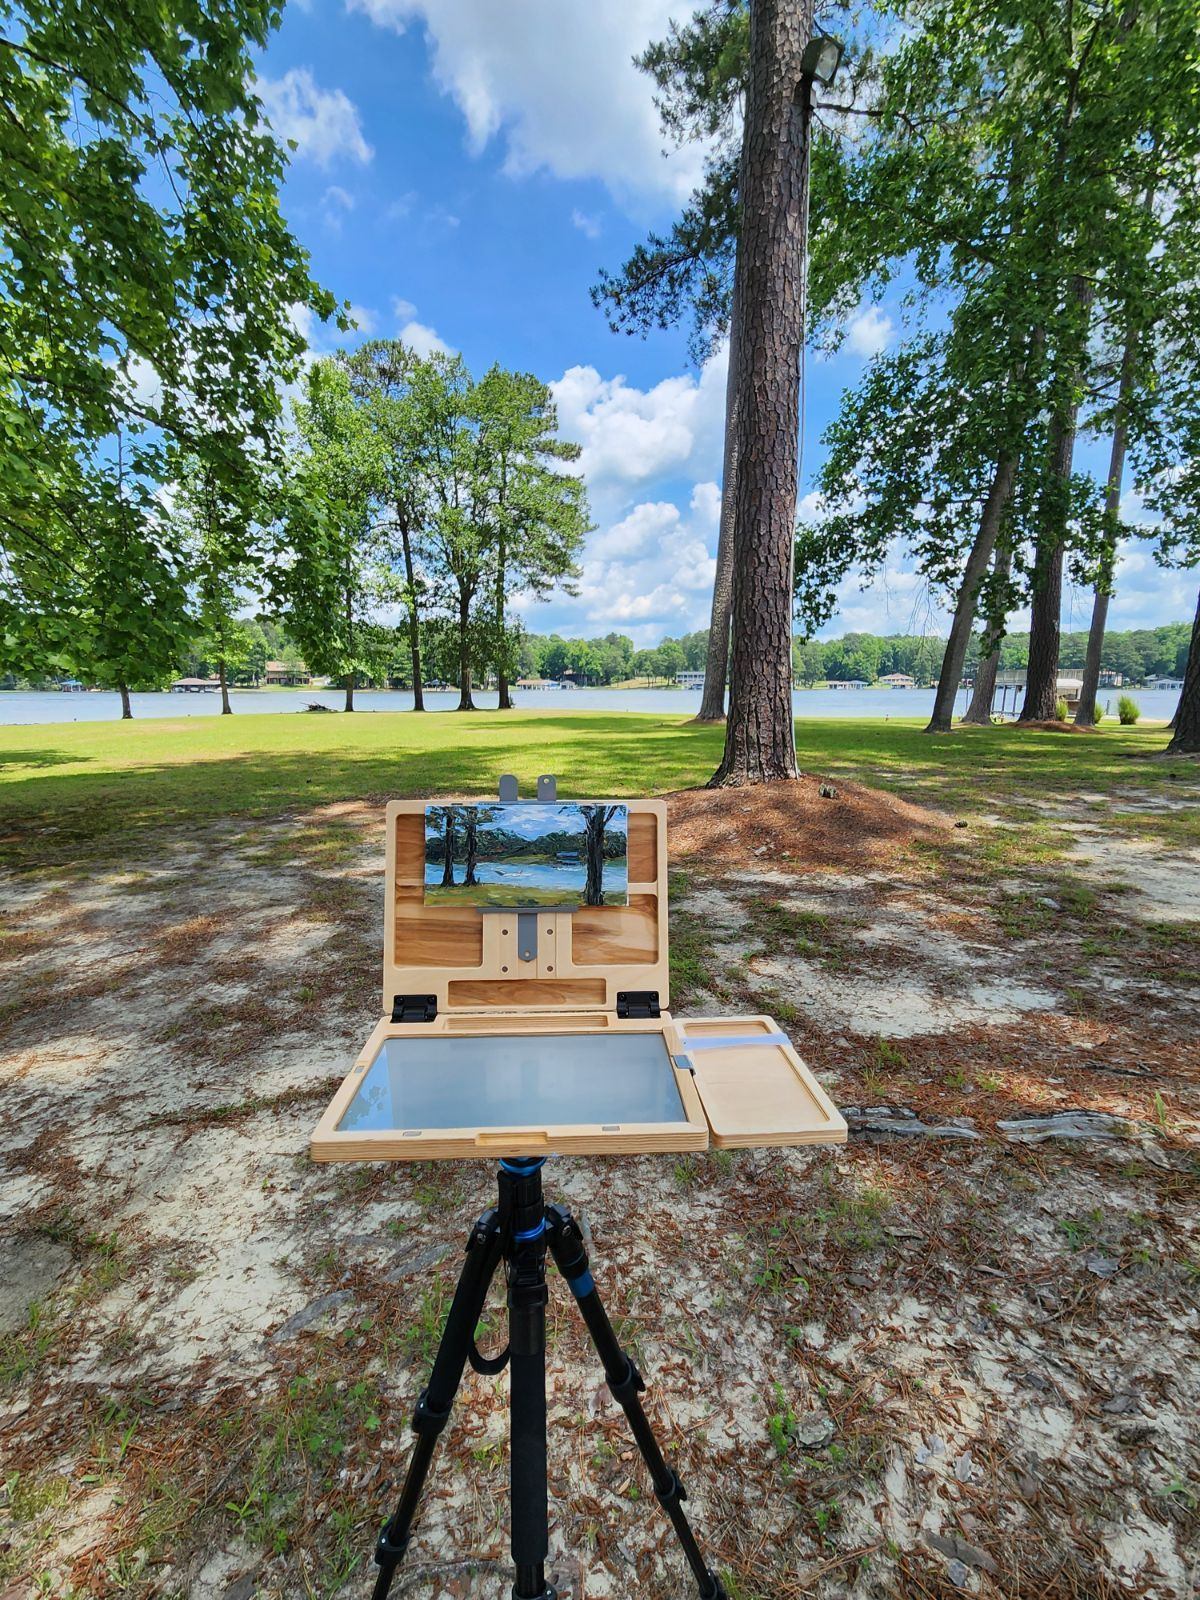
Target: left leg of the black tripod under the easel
(433,1409)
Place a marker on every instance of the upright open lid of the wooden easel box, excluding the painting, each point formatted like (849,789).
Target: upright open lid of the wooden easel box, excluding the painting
(474,961)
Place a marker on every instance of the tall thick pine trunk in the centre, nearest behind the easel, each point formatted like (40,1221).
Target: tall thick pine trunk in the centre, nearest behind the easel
(769,337)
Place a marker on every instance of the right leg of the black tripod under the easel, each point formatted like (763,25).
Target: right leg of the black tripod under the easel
(626,1385)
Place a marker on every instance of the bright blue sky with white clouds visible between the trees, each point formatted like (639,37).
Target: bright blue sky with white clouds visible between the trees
(463,170)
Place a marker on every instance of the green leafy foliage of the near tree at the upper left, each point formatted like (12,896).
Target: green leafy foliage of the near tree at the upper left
(148,284)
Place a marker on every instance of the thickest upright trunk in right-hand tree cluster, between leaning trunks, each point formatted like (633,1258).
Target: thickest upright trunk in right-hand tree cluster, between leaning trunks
(1046,618)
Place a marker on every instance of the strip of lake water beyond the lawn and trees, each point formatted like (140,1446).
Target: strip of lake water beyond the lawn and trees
(20,706)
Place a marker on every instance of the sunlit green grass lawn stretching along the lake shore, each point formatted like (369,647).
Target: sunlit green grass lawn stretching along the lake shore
(87,790)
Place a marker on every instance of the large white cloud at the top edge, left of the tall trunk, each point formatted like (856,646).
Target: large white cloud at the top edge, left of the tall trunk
(558,87)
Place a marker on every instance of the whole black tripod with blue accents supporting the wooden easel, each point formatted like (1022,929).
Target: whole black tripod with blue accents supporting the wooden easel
(519,1234)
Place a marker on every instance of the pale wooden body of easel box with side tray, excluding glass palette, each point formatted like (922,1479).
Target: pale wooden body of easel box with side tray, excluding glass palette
(468,961)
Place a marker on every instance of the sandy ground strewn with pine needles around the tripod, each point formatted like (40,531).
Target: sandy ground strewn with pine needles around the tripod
(958,1356)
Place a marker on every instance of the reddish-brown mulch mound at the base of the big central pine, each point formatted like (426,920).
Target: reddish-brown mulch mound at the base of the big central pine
(794,823)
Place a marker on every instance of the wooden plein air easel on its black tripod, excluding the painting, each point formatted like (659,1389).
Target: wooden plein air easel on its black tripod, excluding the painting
(550,1026)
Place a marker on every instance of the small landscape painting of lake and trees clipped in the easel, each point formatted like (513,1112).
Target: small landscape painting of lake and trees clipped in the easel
(527,855)
